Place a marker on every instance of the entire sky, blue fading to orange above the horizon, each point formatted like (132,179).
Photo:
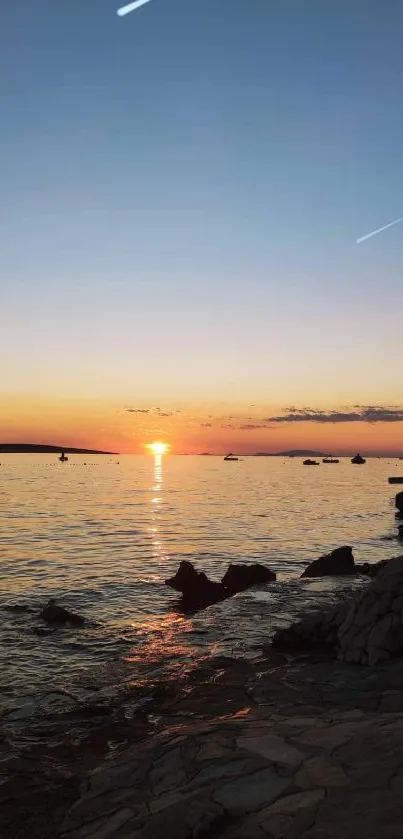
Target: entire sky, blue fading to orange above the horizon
(182,190)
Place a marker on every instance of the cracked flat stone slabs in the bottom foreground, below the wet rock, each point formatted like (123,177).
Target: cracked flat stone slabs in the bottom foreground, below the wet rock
(338,781)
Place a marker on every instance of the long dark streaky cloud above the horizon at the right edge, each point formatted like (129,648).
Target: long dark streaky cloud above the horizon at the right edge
(368,413)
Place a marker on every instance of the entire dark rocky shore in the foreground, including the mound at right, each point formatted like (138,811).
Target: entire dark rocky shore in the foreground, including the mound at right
(291,746)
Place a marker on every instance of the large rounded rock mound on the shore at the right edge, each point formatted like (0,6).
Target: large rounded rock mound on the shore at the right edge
(365,629)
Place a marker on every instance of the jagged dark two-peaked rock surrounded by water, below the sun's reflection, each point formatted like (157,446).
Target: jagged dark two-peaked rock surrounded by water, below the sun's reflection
(198,591)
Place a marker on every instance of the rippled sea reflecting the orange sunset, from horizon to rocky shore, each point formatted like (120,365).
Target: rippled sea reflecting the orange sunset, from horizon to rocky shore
(101,534)
